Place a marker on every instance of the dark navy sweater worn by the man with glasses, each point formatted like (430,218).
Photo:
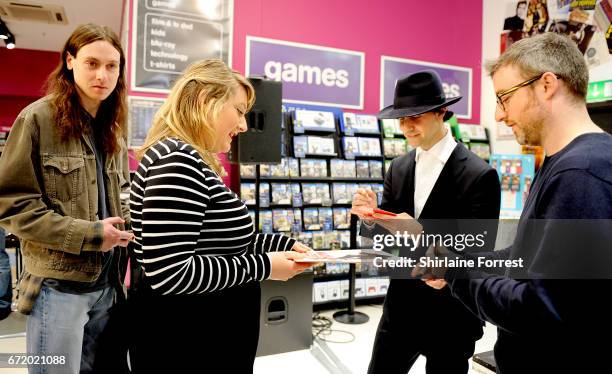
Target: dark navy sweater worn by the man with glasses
(544,323)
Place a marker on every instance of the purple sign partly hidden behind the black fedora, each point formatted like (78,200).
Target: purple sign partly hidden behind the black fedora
(456,81)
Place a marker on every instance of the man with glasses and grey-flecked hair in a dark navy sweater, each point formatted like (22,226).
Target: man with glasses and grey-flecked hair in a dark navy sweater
(550,318)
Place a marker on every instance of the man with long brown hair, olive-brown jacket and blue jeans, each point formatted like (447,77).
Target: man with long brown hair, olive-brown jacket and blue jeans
(63,167)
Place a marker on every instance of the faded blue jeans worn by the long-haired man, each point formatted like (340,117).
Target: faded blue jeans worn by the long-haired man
(67,324)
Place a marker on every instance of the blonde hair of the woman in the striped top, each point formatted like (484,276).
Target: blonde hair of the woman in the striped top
(192,108)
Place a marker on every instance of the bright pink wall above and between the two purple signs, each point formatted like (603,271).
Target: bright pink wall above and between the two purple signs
(442,31)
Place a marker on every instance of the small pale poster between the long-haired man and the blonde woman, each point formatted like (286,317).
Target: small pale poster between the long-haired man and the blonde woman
(141,111)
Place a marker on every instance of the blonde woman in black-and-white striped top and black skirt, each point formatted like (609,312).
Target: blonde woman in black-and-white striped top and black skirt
(195,240)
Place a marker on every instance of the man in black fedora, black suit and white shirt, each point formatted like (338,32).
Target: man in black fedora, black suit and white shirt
(439,180)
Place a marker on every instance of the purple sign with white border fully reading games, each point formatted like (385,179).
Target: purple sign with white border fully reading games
(310,74)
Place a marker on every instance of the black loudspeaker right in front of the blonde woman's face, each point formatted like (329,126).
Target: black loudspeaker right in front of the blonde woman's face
(262,141)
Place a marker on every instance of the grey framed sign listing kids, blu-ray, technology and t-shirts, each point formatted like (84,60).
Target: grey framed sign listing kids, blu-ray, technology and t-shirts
(168,36)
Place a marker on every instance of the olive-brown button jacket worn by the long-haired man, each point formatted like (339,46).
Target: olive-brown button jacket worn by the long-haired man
(49,199)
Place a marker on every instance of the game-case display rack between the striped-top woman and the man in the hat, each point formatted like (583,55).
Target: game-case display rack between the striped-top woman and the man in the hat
(327,156)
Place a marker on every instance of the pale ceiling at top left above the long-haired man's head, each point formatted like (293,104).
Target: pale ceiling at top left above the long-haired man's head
(48,37)
